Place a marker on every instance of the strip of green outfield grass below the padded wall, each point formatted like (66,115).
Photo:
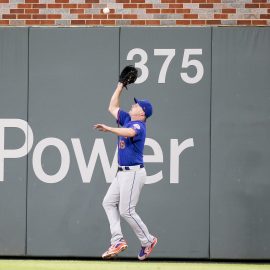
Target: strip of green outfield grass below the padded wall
(122,265)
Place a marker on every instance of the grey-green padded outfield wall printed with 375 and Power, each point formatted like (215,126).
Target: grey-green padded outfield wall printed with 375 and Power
(207,151)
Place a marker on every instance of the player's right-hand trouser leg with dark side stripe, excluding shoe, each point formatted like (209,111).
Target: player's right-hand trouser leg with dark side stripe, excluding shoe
(131,184)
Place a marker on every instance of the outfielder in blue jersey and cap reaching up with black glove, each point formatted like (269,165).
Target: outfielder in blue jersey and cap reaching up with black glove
(123,193)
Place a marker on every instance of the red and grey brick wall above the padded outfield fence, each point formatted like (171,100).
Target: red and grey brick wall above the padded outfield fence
(134,12)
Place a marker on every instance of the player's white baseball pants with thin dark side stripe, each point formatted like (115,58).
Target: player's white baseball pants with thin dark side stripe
(121,199)
